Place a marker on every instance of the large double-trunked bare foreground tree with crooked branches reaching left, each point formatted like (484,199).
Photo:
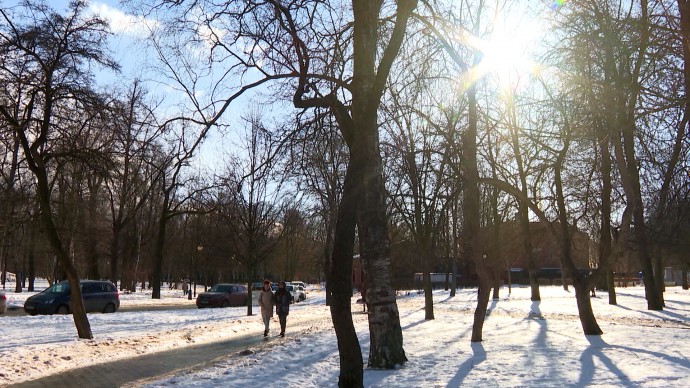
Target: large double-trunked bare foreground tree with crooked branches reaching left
(287,42)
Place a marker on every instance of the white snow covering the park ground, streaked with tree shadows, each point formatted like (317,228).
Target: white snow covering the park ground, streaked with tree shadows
(524,343)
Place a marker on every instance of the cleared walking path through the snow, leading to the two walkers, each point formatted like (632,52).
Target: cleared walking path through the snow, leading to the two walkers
(136,371)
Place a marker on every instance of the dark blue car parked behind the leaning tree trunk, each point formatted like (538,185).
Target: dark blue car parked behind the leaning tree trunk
(98,296)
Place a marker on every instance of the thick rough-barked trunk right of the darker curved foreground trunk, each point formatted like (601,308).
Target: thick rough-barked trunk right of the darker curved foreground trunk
(386,347)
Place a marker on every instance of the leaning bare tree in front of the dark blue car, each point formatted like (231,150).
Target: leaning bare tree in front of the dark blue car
(59,49)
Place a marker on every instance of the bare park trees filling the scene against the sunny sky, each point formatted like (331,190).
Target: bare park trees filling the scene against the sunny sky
(391,131)
